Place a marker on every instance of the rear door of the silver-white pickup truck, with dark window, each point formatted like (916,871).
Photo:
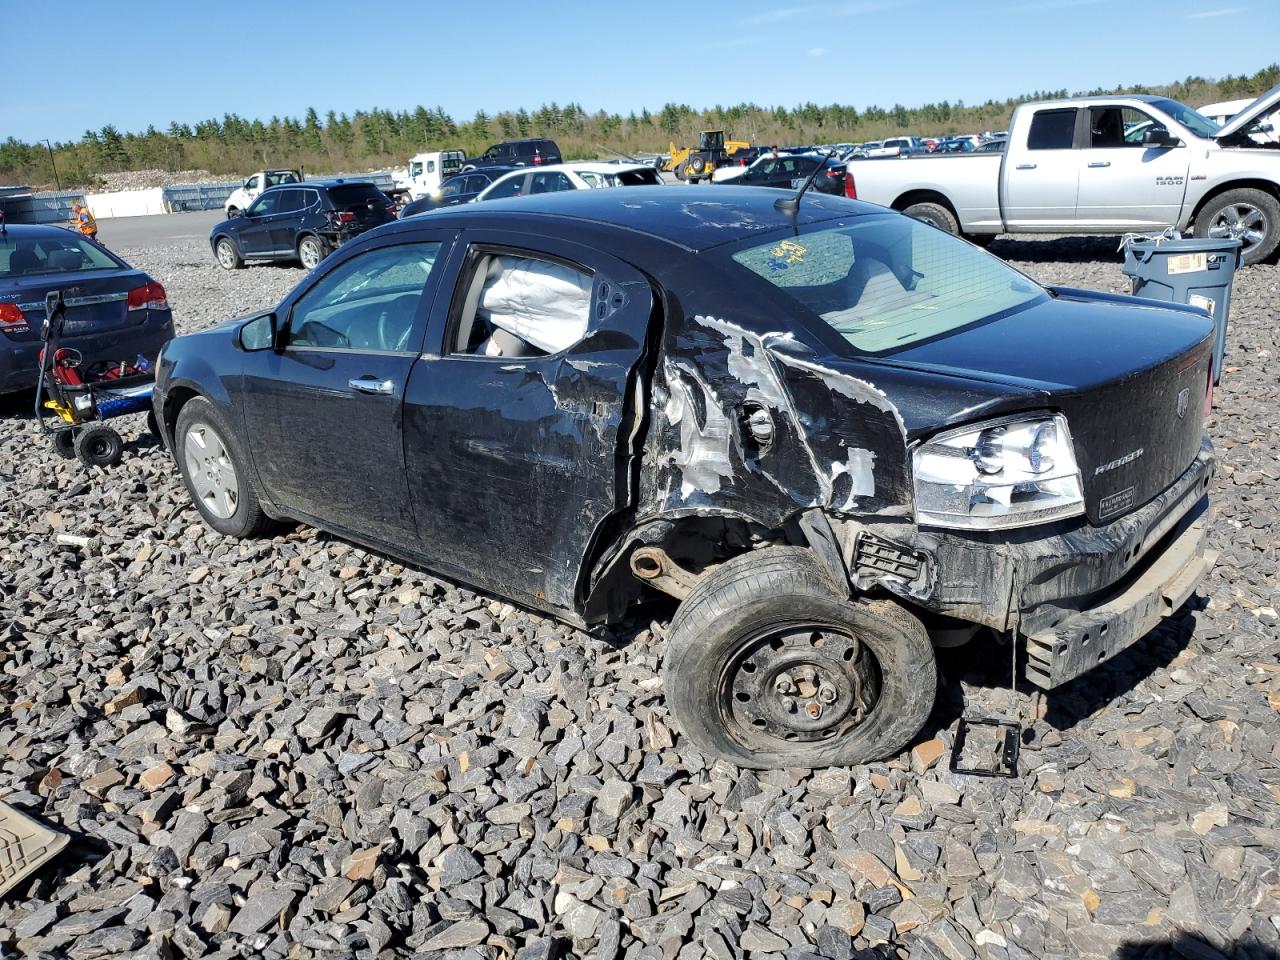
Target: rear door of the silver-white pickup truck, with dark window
(1043,177)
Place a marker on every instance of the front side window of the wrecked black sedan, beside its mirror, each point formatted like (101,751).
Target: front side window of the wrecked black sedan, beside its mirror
(365,304)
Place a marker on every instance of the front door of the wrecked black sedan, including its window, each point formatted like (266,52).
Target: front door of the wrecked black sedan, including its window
(324,409)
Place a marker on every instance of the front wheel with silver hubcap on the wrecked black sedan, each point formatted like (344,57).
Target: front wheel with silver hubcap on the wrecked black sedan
(244,514)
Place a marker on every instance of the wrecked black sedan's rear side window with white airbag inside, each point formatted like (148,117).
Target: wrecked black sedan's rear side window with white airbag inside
(520,305)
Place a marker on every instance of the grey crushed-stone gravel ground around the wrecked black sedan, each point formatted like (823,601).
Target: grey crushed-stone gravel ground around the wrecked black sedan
(296,748)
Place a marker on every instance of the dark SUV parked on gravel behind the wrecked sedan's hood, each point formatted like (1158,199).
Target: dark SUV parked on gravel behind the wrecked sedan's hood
(300,222)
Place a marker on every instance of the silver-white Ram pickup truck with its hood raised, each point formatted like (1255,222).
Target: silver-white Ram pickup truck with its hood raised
(1099,166)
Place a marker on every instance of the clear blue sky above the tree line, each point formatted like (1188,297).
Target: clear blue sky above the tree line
(149,62)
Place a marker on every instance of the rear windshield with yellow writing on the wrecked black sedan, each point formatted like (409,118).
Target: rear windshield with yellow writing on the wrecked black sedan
(888,282)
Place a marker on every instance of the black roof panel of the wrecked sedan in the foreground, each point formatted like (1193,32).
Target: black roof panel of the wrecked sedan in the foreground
(692,218)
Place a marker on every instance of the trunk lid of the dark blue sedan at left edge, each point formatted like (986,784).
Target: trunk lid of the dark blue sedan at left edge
(95,303)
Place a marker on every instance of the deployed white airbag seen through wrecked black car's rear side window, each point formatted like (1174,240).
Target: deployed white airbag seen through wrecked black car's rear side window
(543,304)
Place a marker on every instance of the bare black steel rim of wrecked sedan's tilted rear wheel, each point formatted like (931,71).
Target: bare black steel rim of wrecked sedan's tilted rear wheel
(798,684)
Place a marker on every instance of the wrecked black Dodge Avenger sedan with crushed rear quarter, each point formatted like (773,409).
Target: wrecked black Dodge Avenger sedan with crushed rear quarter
(835,436)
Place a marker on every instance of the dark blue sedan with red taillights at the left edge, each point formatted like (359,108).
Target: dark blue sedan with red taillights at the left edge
(115,312)
